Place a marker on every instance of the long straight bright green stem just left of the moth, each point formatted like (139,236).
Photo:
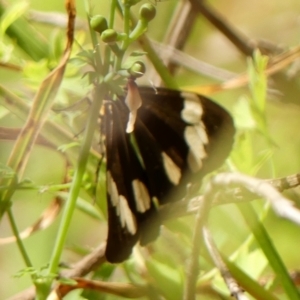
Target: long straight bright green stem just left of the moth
(76,184)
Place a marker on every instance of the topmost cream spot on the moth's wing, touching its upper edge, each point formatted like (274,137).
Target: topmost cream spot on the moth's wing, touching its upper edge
(192,111)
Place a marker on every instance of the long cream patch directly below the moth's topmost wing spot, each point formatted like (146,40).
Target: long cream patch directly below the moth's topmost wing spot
(196,138)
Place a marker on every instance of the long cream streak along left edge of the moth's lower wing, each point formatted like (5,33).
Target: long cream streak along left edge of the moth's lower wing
(126,217)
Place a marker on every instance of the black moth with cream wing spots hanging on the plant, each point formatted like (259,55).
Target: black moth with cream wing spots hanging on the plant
(157,141)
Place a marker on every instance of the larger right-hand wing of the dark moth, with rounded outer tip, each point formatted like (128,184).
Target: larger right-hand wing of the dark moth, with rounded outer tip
(189,134)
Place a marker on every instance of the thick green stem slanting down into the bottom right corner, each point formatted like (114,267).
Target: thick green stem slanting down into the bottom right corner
(269,250)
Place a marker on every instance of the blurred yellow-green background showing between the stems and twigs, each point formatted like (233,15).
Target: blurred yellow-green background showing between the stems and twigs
(277,22)
